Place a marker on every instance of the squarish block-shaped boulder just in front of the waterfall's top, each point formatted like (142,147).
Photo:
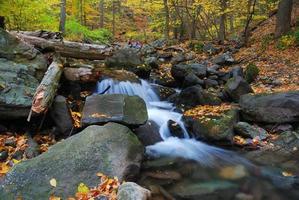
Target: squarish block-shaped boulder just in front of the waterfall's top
(128,110)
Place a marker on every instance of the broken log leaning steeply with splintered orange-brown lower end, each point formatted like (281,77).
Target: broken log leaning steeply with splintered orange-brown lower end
(46,91)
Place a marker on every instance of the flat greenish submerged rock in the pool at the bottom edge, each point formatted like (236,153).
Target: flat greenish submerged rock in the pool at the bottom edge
(214,189)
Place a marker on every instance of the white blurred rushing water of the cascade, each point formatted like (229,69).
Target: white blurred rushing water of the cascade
(161,112)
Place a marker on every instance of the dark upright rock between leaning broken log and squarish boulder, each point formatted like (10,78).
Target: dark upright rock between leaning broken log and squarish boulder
(61,115)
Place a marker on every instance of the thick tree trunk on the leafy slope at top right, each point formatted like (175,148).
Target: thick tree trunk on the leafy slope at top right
(283,21)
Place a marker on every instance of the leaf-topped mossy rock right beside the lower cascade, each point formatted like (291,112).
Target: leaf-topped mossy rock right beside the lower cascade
(213,128)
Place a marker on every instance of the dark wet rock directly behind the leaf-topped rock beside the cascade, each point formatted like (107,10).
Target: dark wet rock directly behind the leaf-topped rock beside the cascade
(195,95)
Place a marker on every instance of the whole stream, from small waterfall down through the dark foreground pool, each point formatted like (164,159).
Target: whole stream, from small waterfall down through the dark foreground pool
(208,159)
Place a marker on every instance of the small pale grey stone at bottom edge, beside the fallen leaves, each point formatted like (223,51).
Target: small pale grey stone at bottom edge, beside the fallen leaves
(132,191)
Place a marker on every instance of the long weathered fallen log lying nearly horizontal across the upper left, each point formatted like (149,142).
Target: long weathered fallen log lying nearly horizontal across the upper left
(67,48)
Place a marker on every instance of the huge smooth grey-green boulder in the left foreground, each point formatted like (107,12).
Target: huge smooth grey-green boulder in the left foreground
(111,149)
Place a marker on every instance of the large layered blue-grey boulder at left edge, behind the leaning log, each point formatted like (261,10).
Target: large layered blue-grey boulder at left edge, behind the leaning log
(21,70)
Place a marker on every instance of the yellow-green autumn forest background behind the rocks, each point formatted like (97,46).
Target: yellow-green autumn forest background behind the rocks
(145,20)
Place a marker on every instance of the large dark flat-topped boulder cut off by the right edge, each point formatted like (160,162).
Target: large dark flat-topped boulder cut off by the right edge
(271,108)
